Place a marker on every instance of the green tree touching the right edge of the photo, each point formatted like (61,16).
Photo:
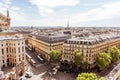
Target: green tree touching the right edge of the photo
(114,53)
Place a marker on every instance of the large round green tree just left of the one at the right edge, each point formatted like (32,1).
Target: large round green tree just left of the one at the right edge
(103,60)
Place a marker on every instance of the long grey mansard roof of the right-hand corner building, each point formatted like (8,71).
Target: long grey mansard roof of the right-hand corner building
(93,39)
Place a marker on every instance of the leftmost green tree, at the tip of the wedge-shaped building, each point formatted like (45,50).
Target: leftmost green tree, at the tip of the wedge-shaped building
(55,56)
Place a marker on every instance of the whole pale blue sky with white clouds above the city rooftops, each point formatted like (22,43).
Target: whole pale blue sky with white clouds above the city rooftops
(95,13)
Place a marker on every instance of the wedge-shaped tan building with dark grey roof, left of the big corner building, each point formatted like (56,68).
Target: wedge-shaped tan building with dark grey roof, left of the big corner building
(43,44)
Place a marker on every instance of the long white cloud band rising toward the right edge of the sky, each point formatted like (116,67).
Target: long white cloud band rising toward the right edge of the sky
(106,11)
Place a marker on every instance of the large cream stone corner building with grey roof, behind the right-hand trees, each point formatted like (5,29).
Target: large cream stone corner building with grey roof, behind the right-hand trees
(90,47)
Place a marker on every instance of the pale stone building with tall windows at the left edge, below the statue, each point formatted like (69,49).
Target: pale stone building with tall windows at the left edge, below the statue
(12,49)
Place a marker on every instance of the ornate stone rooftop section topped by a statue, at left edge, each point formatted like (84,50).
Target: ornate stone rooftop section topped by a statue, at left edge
(5,21)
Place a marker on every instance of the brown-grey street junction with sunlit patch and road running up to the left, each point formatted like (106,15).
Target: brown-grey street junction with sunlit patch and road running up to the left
(42,71)
